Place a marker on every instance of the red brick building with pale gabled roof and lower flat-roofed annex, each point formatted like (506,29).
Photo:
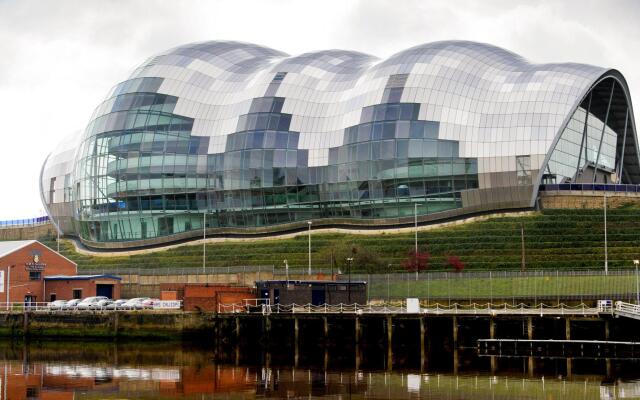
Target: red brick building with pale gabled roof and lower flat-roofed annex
(32,272)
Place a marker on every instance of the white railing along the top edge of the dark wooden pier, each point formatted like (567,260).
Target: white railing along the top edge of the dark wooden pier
(437,309)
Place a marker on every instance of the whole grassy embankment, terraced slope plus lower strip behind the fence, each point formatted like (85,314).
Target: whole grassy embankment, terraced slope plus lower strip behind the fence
(554,240)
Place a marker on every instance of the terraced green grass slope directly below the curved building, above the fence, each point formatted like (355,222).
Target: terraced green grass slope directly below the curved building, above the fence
(564,239)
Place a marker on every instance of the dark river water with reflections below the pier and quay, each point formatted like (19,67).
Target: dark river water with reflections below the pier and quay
(59,370)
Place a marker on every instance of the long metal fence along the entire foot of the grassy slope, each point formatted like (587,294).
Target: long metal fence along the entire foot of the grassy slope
(550,286)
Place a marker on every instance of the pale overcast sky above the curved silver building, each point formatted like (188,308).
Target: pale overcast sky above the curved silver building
(58,59)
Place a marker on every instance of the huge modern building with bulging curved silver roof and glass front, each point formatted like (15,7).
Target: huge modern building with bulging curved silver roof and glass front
(250,140)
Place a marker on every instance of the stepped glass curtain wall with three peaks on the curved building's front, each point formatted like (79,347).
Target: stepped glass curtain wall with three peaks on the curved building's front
(143,175)
